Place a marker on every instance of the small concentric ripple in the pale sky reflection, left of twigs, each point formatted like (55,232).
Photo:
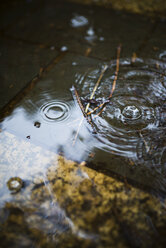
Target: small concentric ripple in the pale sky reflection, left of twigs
(55,111)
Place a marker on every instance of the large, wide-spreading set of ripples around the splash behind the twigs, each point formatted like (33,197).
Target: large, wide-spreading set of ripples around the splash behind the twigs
(135,106)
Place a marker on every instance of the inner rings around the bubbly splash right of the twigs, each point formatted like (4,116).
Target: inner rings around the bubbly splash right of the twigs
(130,112)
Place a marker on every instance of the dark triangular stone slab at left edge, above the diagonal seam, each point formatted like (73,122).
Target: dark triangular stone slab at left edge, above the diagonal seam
(20,63)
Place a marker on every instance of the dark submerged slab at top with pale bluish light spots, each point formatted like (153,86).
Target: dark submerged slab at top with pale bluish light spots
(82,29)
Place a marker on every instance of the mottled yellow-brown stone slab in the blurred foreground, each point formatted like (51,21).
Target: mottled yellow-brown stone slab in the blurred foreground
(70,205)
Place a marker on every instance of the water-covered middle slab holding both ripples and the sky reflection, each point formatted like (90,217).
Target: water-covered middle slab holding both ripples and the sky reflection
(132,125)
